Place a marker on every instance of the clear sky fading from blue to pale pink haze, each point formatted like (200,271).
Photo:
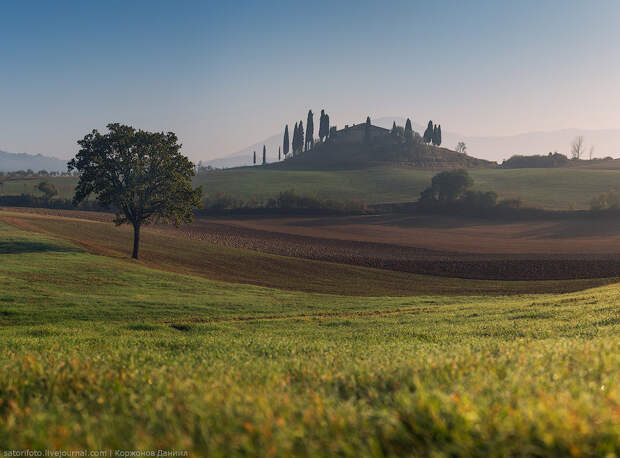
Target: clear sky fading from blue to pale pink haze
(223,75)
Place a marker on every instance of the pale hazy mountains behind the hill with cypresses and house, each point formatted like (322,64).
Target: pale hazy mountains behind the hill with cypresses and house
(604,143)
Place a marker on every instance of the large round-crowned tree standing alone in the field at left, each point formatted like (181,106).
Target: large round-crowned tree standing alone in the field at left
(141,175)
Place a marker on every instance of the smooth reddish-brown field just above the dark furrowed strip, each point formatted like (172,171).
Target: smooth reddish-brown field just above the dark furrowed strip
(570,236)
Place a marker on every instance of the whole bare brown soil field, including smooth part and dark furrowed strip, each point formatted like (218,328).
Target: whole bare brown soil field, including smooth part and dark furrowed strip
(449,247)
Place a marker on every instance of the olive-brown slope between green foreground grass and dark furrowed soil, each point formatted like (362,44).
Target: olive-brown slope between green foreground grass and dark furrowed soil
(176,250)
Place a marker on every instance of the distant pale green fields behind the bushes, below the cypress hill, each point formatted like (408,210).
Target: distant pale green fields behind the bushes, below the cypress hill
(562,188)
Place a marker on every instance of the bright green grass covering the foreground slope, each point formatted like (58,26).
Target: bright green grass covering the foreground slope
(100,352)
